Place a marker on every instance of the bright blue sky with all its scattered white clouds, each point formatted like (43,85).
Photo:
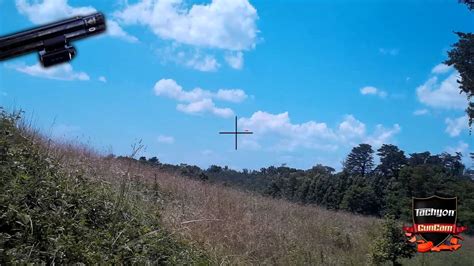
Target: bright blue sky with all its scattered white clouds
(310,78)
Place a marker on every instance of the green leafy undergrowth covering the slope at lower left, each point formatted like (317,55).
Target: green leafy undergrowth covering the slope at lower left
(47,216)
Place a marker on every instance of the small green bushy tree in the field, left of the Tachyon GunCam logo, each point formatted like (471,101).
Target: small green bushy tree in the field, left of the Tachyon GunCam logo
(391,245)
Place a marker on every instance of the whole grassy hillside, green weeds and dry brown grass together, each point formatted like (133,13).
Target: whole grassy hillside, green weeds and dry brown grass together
(63,203)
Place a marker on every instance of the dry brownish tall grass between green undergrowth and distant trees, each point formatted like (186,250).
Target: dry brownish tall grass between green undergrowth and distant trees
(235,227)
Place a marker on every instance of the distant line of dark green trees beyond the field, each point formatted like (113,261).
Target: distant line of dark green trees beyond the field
(361,187)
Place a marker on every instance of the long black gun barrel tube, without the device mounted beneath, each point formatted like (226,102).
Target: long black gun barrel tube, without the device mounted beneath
(39,38)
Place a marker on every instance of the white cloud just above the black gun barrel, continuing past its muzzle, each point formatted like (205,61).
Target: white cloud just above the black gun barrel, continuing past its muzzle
(40,12)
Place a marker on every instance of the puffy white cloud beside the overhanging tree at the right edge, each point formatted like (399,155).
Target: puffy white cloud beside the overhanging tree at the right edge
(443,95)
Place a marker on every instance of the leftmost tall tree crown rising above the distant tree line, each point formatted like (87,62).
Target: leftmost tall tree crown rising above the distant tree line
(360,161)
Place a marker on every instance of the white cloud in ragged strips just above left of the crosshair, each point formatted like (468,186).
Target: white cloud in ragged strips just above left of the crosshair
(198,101)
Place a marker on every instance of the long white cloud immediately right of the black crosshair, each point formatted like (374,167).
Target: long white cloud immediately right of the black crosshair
(311,134)
